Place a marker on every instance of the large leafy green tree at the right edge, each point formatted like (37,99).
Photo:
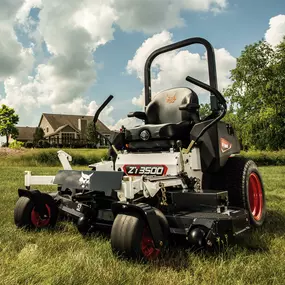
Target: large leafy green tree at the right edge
(256,98)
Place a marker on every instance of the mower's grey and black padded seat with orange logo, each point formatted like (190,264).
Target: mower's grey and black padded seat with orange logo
(164,120)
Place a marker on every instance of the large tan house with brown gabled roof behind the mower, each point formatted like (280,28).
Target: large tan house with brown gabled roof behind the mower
(70,129)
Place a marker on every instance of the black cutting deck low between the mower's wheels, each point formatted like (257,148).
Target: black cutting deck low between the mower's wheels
(204,212)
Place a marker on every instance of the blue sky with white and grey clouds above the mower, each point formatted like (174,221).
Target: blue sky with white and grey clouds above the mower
(68,56)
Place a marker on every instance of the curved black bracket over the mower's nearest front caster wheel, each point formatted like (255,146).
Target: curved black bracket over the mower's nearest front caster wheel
(156,221)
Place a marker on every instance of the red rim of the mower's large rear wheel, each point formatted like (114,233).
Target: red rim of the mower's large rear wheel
(255,196)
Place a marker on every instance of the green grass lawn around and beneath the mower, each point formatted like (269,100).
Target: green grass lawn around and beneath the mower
(63,256)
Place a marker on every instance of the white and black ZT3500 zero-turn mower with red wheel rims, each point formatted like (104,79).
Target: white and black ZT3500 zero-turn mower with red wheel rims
(174,175)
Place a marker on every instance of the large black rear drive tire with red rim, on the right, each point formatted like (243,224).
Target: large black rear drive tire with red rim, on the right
(243,181)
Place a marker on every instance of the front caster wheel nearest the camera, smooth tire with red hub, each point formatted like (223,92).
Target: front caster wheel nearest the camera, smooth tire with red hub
(131,237)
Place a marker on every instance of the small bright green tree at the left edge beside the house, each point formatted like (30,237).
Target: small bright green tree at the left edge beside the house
(8,120)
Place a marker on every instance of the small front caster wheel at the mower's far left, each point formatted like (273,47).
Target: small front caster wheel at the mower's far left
(25,215)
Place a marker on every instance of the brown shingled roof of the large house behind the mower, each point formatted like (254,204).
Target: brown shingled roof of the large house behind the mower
(59,120)
